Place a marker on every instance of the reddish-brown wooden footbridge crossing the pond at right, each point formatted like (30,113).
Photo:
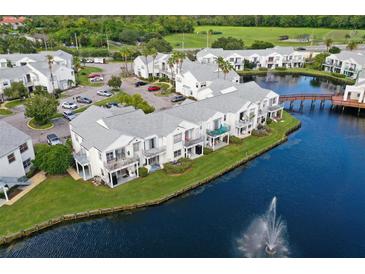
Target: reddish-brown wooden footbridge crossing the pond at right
(335,100)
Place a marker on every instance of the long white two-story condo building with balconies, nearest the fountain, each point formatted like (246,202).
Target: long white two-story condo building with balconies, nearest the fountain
(113,143)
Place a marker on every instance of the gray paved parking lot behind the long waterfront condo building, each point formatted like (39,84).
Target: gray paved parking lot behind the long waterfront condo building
(61,127)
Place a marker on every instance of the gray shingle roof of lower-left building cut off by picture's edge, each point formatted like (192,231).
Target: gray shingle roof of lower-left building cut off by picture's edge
(10,138)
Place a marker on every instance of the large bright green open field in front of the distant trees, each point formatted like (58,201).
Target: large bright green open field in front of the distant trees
(250,34)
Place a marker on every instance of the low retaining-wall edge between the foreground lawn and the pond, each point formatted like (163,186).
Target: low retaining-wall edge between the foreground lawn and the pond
(8,239)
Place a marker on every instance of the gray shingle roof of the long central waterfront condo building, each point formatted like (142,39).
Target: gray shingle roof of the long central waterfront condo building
(134,123)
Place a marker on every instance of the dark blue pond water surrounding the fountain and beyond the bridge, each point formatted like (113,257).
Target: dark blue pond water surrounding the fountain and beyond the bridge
(318,177)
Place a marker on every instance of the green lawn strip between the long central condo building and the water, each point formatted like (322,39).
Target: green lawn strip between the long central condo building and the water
(62,195)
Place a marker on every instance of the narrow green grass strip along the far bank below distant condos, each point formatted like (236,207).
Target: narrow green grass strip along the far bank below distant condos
(302,71)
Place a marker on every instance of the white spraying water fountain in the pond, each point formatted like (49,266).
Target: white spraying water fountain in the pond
(266,236)
